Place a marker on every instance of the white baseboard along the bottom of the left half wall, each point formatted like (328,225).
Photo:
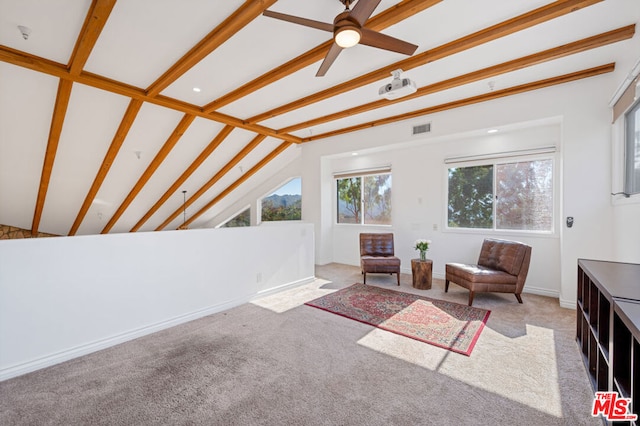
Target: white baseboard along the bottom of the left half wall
(78,351)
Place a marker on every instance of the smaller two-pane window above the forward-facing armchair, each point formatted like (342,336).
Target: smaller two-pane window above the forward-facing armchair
(365,199)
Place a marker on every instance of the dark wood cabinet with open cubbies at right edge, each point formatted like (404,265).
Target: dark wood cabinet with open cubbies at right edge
(608,326)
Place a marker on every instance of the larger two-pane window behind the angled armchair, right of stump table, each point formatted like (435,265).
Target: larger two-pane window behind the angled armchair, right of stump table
(503,196)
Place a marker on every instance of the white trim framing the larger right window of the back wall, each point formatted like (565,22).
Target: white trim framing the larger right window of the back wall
(546,153)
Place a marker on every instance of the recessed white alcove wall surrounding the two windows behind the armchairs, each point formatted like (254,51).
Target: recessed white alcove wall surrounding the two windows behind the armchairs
(419,200)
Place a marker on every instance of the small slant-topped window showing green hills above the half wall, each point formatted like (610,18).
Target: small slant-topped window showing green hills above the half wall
(283,204)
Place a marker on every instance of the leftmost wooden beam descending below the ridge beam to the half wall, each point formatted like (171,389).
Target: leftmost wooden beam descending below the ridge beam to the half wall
(57,121)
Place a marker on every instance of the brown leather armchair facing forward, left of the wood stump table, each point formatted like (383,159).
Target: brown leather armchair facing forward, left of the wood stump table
(377,255)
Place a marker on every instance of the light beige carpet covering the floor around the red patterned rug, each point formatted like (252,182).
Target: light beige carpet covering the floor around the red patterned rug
(278,362)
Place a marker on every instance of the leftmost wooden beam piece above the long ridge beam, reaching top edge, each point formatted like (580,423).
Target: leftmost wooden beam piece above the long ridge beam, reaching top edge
(94,23)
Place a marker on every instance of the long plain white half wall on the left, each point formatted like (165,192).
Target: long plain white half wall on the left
(68,296)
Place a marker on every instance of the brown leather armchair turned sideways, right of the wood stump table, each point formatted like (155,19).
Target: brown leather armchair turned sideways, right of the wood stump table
(502,268)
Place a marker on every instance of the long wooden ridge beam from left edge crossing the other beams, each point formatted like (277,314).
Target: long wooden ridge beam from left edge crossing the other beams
(56,69)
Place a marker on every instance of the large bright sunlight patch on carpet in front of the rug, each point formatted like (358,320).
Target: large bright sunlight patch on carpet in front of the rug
(536,385)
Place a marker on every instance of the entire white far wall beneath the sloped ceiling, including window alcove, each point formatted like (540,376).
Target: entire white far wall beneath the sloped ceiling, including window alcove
(582,110)
